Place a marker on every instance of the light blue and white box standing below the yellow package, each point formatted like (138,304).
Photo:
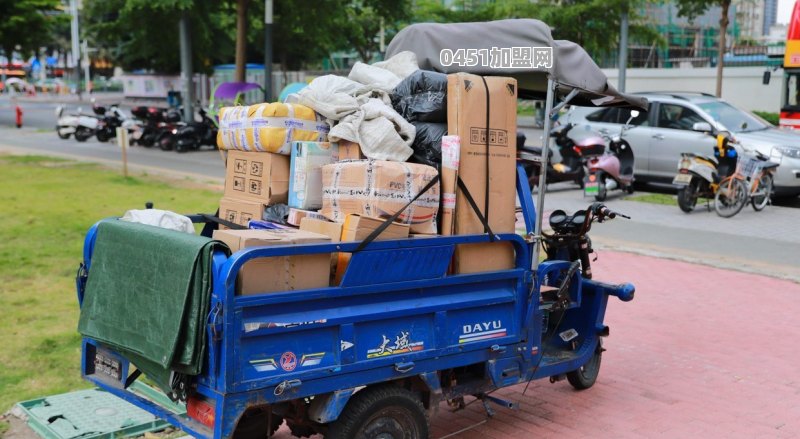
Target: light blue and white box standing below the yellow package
(305,181)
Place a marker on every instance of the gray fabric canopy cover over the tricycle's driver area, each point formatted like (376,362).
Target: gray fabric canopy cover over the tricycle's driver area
(571,67)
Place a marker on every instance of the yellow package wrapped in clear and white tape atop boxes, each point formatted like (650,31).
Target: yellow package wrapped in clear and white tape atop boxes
(269,127)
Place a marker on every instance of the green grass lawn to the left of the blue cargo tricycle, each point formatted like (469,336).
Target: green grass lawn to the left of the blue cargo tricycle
(47,206)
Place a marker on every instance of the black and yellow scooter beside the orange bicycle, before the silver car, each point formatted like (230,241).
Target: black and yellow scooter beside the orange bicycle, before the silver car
(699,175)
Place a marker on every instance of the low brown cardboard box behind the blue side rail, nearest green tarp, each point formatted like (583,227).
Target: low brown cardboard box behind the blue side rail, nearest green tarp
(276,274)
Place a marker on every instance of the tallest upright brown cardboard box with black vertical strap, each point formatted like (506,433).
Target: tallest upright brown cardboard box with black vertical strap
(466,118)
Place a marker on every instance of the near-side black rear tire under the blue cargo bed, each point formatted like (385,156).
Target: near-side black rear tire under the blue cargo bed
(388,412)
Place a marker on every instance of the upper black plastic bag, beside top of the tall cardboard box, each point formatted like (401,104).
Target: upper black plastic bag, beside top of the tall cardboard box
(422,97)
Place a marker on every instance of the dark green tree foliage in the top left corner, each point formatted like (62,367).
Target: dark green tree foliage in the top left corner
(27,24)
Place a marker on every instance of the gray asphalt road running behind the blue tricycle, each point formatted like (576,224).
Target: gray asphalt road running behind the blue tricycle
(766,242)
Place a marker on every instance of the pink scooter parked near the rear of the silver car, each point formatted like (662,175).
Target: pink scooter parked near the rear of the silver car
(613,169)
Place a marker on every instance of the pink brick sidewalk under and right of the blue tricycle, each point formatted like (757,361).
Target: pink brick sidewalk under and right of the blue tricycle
(700,352)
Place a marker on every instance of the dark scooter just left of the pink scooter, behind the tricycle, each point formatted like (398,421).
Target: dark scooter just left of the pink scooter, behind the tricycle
(573,156)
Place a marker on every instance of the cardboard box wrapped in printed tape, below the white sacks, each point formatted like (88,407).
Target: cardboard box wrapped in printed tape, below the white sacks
(380,188)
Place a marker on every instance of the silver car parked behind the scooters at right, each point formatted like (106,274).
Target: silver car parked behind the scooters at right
(682,122)
